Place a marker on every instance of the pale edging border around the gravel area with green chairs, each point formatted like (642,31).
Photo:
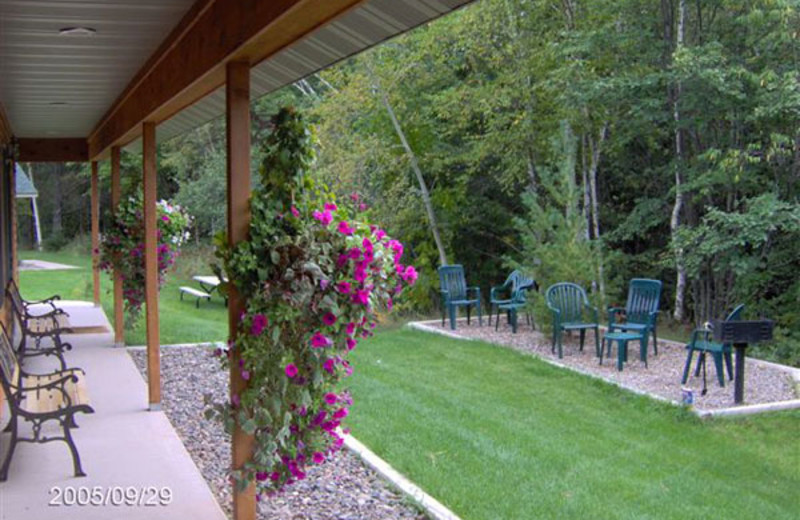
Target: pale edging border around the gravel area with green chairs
(702,413)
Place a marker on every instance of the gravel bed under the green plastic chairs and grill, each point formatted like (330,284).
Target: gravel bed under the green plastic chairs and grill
(662,377)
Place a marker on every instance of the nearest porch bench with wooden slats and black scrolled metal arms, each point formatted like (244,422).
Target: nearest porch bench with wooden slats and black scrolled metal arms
(39,398)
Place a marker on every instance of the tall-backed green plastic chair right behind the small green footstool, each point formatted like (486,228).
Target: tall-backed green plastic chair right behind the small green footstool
(640,311)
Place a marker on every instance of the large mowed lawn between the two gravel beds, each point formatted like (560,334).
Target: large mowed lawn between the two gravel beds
(495,434)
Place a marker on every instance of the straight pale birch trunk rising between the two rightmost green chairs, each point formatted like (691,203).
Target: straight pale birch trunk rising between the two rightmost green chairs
(675,220)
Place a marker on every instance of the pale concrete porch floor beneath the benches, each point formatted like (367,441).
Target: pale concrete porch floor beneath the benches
(124,447)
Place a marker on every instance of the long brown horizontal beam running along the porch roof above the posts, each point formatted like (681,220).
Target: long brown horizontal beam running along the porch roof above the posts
(190,64)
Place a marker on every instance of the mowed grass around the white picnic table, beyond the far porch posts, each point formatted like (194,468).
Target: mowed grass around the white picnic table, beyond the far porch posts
(180,321)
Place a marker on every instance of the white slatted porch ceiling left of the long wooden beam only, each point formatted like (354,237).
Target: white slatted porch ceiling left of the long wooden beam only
(55,85)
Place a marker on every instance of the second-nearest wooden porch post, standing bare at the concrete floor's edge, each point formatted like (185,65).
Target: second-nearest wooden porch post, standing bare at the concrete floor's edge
(151,265)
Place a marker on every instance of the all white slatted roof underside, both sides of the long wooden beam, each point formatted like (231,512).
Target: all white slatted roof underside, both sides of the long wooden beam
(62,86)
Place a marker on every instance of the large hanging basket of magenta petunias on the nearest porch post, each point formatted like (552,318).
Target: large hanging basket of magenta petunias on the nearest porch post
(314,275)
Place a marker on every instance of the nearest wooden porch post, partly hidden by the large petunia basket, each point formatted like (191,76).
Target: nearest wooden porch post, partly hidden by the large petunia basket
(237,97)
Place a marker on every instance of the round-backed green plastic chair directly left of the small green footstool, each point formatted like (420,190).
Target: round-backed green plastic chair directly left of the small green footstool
(571,311)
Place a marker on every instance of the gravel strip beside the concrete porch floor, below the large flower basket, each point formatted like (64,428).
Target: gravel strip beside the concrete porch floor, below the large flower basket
(341,489)
